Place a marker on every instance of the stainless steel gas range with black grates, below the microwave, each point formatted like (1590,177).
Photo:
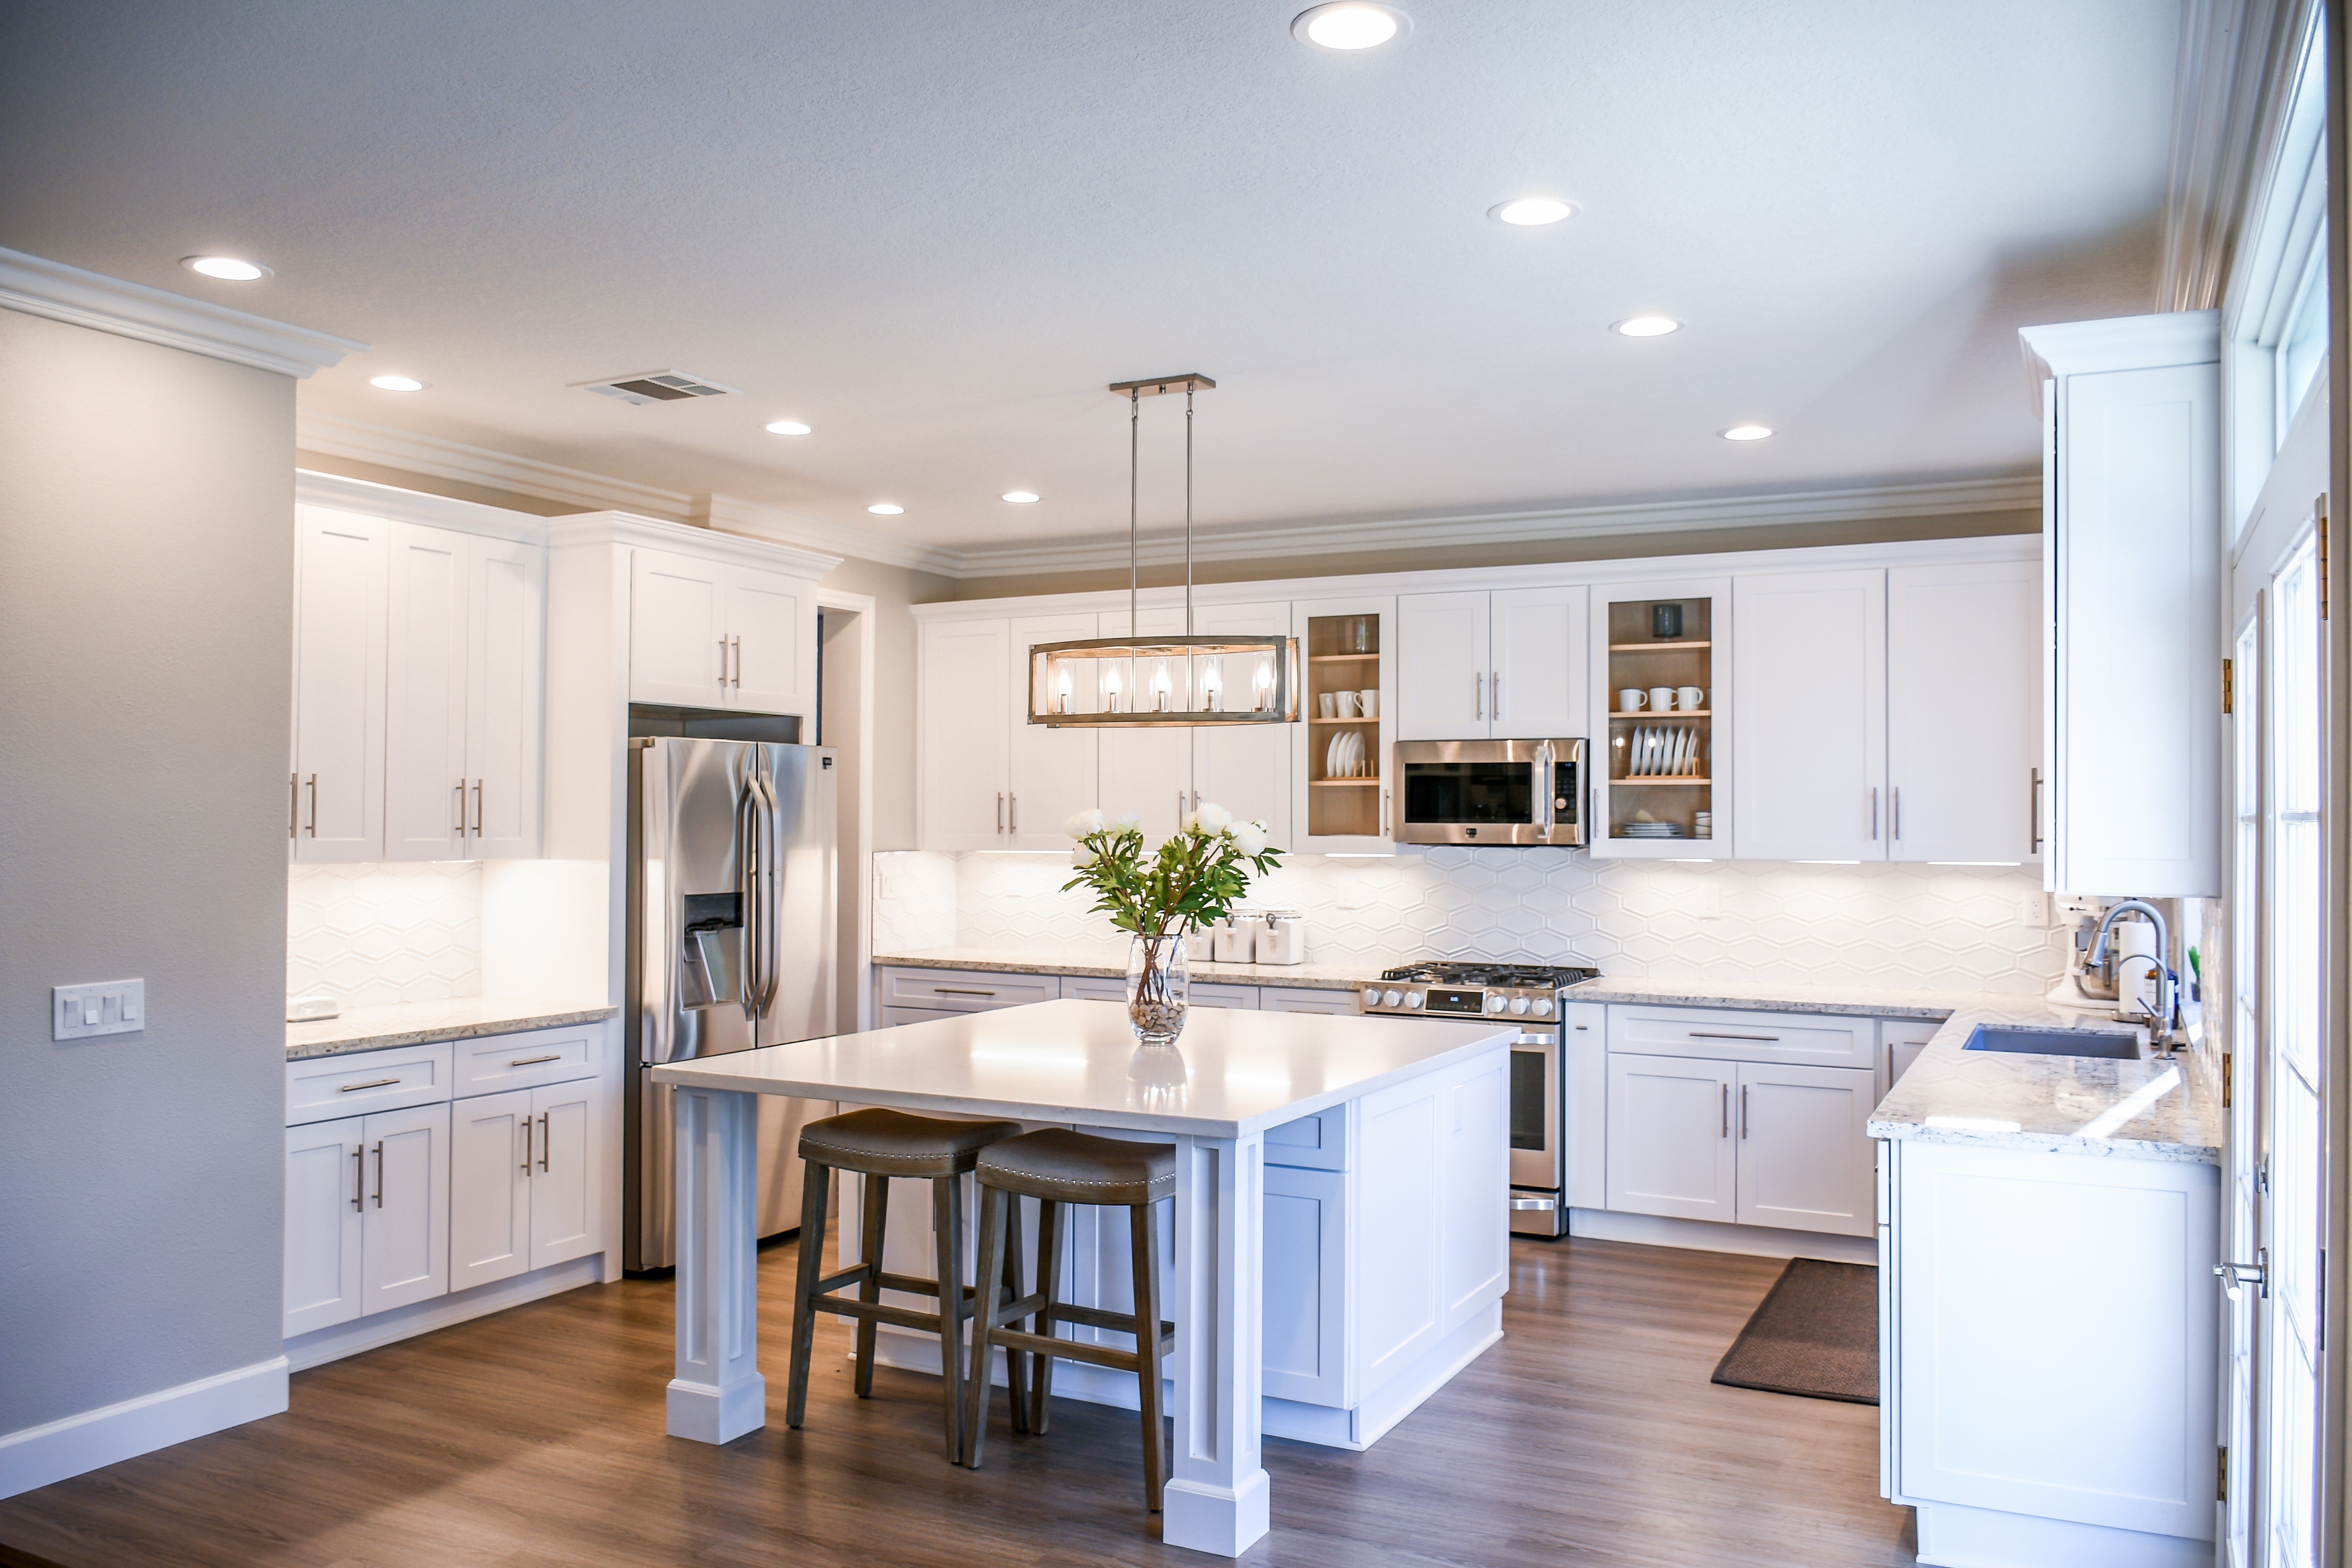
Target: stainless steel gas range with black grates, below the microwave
(1530,998)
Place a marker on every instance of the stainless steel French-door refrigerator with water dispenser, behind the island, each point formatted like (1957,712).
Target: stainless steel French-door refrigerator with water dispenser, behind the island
(730,946)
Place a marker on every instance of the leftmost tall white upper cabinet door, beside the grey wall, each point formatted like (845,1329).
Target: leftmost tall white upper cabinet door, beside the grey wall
(340,631)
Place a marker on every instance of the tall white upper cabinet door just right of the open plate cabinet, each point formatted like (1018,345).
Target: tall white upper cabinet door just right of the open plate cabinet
(1810,659)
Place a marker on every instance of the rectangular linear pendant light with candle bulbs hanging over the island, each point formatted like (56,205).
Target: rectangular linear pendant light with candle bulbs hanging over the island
(1158,683)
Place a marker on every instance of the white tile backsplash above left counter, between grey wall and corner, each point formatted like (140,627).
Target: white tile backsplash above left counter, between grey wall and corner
(382,934)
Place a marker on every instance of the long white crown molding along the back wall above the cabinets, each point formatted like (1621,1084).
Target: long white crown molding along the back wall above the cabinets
(1923,500)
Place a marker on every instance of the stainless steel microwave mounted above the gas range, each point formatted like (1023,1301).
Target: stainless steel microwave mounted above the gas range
(1490,793)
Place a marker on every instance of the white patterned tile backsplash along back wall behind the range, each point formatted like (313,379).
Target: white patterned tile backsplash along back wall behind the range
(1913,927)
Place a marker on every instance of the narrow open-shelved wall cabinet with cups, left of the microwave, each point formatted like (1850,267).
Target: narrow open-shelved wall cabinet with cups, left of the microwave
(1347,725)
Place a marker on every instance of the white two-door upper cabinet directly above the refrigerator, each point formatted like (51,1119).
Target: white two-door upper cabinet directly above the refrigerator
(707,634)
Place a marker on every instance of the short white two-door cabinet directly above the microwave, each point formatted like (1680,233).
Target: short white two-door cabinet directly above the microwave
(1504,664)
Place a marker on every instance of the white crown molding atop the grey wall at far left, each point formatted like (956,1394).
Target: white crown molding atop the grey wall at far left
(69,295)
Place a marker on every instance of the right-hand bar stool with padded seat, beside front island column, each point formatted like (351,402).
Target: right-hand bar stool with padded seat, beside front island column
(1062,1167)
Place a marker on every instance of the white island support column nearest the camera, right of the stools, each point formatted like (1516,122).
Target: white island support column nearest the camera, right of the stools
(1217,1494)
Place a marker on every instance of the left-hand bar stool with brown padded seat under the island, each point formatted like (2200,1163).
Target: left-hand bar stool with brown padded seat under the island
(881,1144)
